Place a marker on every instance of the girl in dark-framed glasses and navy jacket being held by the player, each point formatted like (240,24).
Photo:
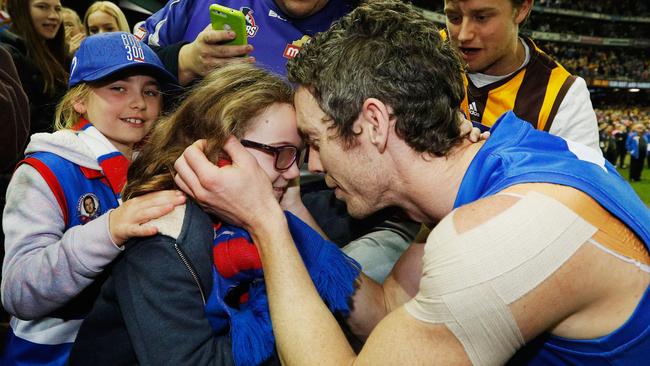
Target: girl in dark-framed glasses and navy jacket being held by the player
(194,294)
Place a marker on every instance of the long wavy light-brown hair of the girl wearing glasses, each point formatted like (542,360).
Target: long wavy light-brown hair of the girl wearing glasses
(223,104)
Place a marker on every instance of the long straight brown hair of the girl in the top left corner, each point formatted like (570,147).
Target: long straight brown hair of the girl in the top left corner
(48,55)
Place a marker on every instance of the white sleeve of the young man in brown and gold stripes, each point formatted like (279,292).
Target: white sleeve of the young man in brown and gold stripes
(575,119)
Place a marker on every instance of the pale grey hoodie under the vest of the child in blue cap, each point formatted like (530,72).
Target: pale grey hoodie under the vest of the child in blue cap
(45,267)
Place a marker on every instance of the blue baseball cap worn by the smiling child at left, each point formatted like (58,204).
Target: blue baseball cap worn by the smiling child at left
(102,55)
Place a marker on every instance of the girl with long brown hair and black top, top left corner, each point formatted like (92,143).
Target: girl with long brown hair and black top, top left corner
(36,41)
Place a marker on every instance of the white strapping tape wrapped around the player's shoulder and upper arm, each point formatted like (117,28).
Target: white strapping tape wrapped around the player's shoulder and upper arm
(469,279)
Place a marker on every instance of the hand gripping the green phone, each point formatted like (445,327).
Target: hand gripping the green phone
(207,52)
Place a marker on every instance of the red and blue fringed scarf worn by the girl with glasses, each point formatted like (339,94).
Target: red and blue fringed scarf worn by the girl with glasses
(238,302)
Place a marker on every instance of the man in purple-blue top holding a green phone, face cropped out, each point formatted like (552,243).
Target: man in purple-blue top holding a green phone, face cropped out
(276,30)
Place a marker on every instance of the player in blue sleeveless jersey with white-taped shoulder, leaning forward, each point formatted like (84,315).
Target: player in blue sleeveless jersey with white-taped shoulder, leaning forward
(540,255)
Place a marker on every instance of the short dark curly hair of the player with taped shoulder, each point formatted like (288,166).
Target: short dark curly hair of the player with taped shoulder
(385,49)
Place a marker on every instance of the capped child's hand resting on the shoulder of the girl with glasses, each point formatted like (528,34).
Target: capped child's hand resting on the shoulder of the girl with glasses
(126,221)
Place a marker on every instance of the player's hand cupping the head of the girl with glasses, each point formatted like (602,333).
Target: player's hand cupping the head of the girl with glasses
(240,193)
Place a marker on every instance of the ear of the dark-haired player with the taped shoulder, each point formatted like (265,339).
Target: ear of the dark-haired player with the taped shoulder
(378,119)
